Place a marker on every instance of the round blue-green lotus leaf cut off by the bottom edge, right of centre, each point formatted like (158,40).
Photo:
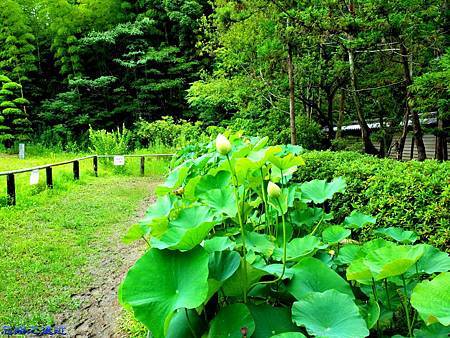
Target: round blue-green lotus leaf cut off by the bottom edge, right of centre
(329,314)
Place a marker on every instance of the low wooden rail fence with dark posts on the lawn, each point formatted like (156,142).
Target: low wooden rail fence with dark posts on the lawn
(10,175)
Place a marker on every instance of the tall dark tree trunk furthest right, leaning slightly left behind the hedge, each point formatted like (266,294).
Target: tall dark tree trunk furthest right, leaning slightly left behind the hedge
(417,129)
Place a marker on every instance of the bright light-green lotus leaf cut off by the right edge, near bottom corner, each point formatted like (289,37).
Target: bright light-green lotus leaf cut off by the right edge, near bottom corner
(432,299)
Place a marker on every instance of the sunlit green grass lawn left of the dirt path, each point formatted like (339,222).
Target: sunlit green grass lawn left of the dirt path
(47,240)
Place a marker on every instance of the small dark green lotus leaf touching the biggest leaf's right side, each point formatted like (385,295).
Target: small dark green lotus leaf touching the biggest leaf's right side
(223,264)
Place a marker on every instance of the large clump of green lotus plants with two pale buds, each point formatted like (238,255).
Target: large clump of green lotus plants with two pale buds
(238,249)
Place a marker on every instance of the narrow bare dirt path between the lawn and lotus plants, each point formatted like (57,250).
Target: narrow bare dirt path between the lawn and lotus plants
(99,310)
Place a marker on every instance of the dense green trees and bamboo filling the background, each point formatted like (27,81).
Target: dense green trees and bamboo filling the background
(291,70)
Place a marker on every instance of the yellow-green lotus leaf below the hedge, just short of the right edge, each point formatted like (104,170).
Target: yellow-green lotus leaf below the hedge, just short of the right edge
(392,261)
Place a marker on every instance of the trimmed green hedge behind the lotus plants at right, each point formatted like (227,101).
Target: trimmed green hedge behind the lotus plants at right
(411,195)
